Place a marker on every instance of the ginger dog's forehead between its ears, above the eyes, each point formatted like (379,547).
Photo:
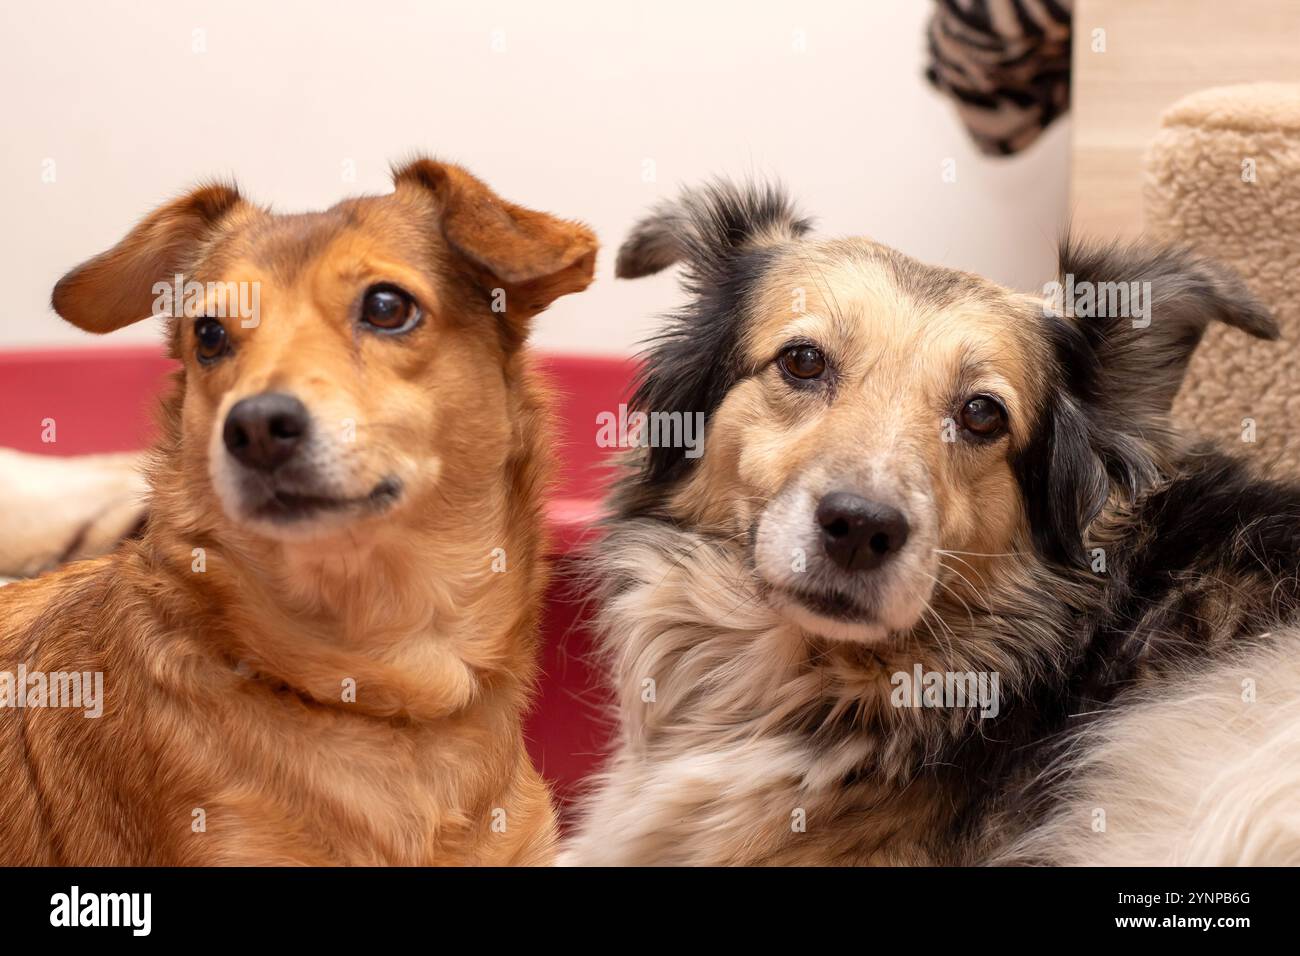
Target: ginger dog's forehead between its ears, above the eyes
(284,245)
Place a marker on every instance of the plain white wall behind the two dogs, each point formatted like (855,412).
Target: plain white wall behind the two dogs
(564,119)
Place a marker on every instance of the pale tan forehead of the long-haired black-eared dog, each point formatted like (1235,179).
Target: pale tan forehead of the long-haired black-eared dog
(860,296)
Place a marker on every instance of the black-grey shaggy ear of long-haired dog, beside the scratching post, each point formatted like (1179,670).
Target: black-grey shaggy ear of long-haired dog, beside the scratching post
(1123,323)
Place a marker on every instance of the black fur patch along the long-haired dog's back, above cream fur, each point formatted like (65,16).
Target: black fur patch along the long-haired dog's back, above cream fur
(1206,564)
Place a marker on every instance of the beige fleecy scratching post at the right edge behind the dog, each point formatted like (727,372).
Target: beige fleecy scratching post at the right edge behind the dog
(1224,178)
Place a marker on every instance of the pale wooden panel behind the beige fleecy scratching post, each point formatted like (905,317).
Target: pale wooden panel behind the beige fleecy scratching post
(1158,51)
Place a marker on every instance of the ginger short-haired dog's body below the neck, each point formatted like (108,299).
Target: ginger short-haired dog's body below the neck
(200,762)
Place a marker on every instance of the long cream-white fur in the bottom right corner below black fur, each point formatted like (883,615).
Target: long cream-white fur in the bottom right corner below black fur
(1208,777)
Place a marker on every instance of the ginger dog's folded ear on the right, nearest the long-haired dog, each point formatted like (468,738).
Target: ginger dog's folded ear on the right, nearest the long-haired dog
(532,256)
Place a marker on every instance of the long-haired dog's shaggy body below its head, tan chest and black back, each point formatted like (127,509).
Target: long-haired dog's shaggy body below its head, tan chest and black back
(743,743)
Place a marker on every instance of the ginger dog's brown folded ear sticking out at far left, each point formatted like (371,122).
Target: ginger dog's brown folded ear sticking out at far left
(116,288)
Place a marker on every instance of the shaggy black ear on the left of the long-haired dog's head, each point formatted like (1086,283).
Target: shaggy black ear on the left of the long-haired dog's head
(726,237)
